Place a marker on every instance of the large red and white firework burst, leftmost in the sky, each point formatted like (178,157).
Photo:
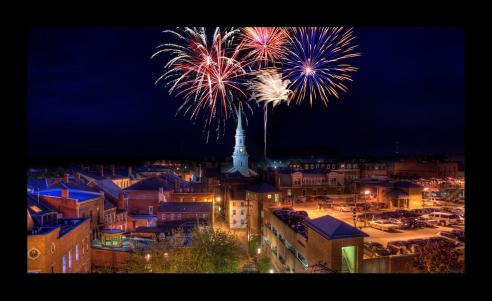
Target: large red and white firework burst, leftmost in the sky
(206,72)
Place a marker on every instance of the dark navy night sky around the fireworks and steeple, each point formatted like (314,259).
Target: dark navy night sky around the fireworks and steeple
(91,92)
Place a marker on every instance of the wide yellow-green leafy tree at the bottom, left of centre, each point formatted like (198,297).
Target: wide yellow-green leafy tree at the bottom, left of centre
(208,251)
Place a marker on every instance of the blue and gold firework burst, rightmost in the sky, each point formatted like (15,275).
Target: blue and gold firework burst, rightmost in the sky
(315,61)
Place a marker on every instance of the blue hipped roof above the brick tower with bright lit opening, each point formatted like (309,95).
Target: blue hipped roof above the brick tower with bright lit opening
(332,228)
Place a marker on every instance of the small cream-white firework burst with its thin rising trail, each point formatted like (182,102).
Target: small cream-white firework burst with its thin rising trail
(269,87)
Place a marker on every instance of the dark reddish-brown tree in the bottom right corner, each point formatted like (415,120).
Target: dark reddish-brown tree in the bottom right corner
(438,257)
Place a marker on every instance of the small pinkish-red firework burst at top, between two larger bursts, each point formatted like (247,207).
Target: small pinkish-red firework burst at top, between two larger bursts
(264,44)
